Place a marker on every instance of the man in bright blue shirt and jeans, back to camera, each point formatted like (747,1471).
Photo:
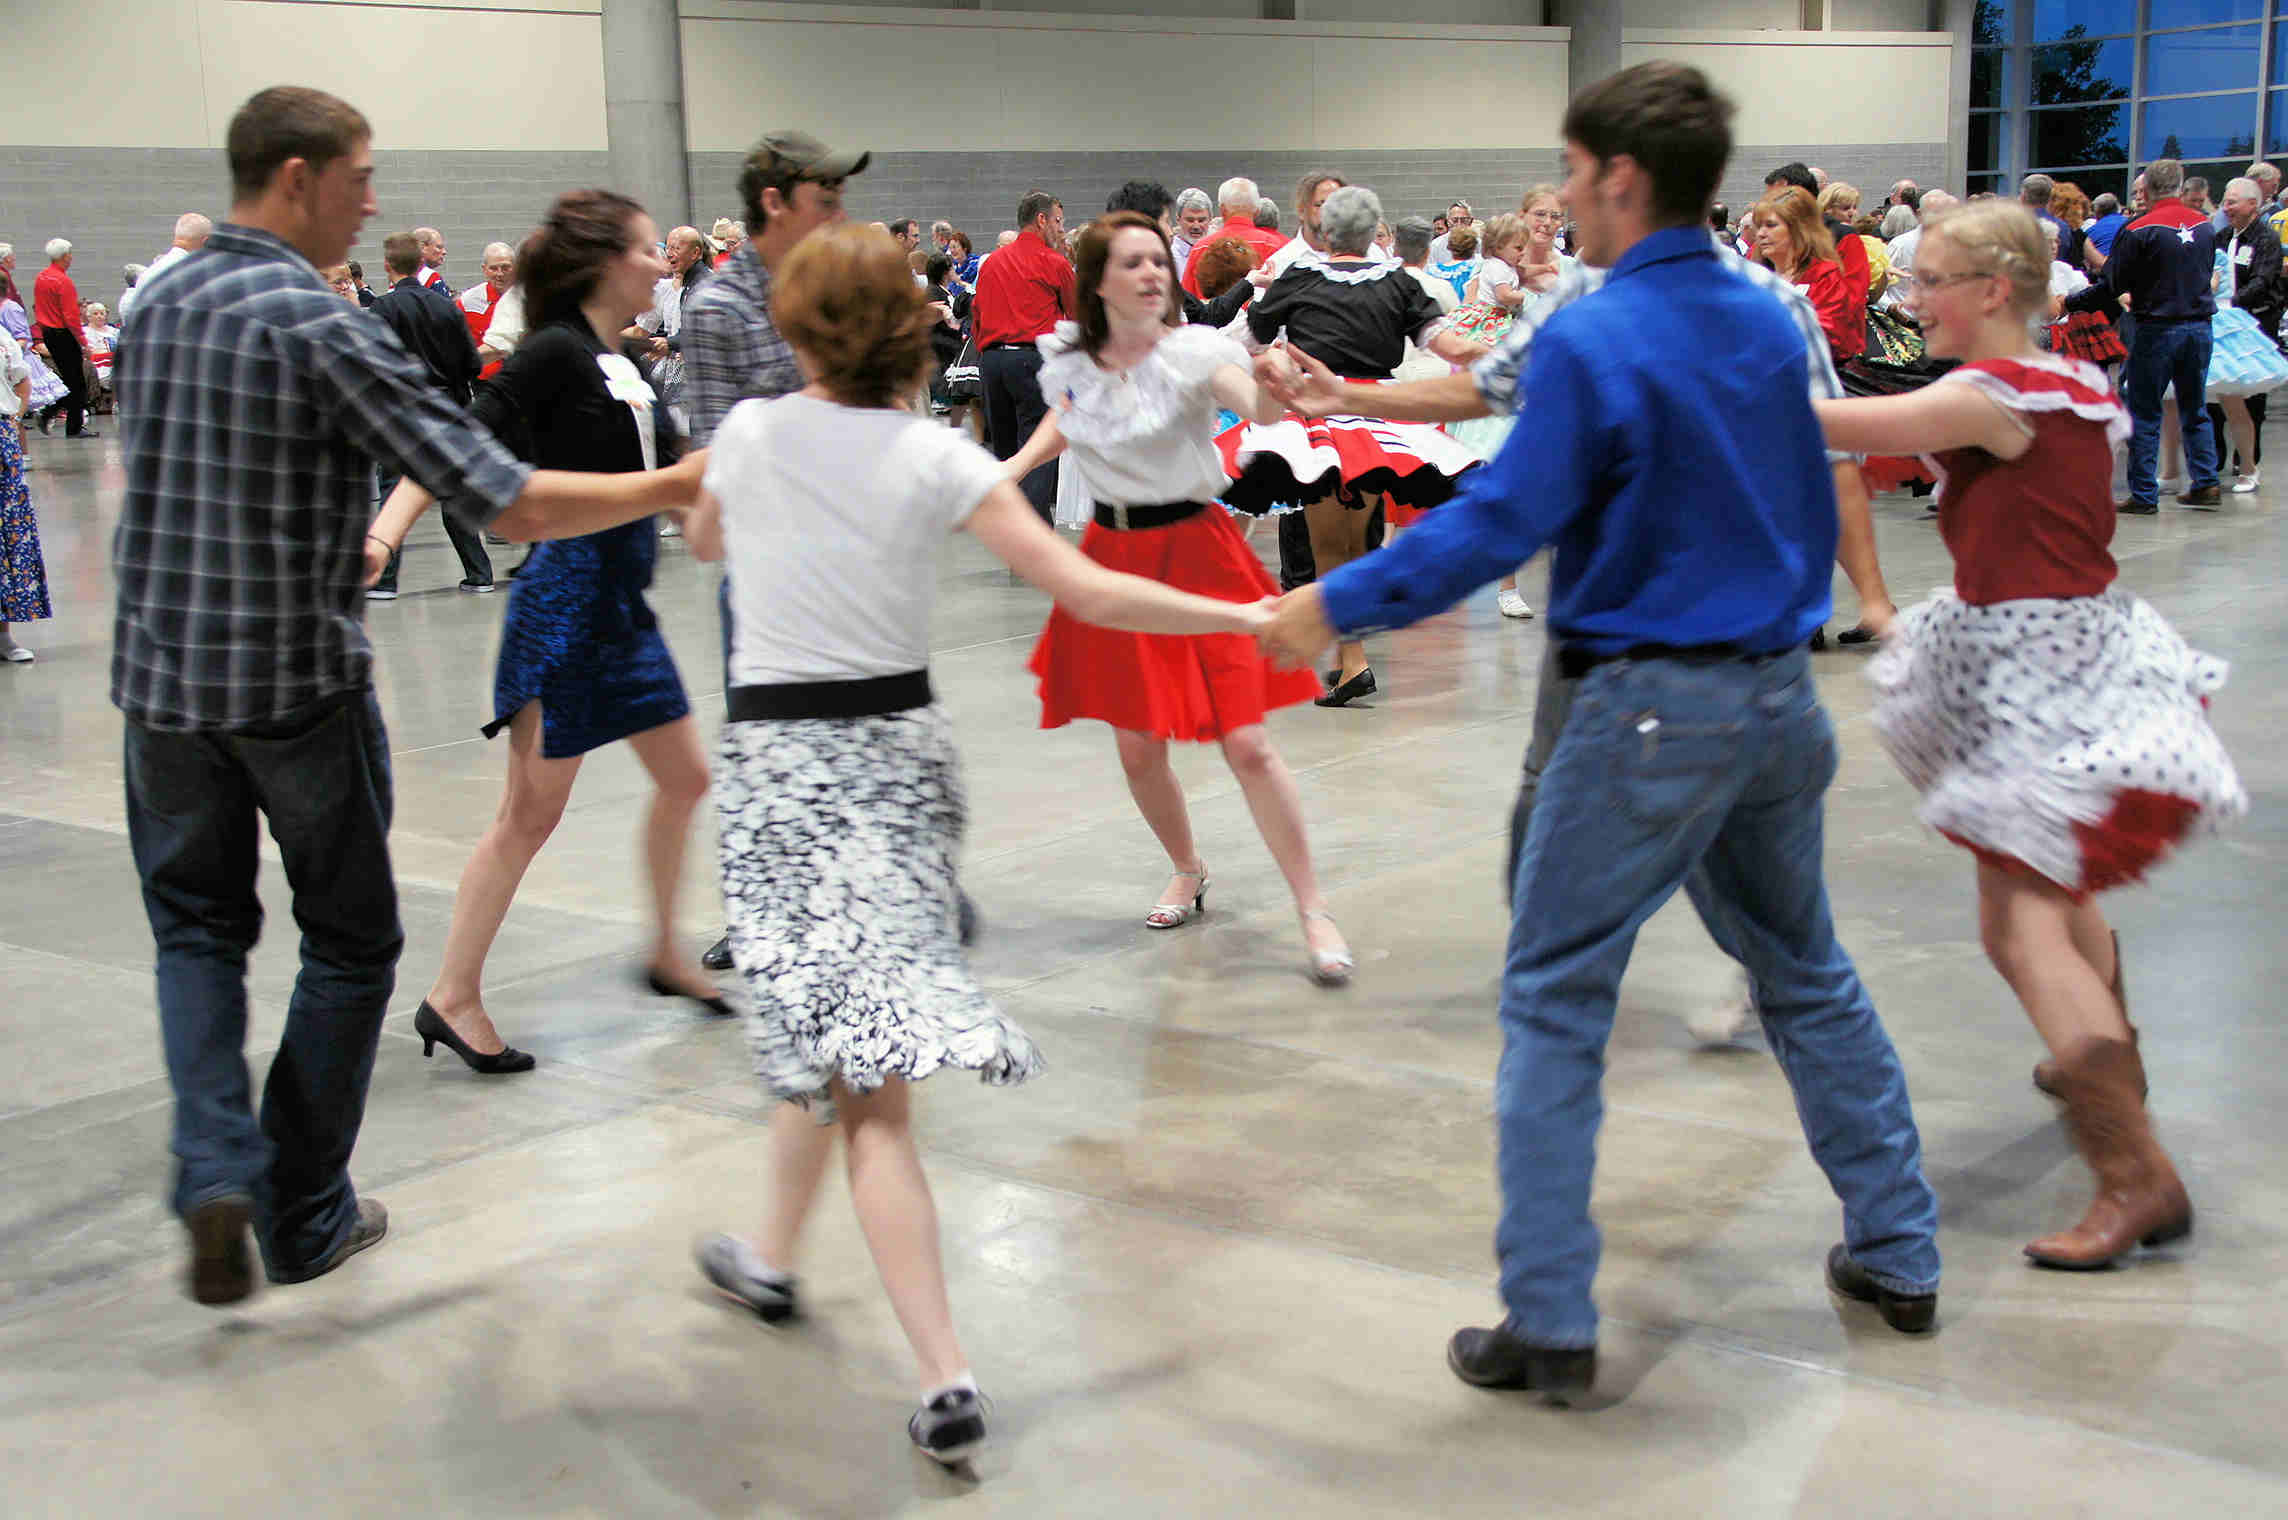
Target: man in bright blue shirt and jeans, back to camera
(1667,450)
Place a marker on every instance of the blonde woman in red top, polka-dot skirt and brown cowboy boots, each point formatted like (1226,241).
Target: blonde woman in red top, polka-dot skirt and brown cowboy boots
(2053,725)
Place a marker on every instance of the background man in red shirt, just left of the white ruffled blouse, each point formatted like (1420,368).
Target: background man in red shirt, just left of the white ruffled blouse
(1022,292)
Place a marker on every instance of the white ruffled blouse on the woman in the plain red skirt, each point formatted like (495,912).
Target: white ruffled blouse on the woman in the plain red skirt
(1145,434)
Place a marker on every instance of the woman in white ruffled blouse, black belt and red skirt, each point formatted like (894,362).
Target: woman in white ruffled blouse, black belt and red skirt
(1134,397)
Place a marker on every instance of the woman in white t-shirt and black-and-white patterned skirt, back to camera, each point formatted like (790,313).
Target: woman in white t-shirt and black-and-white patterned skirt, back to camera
(836,777)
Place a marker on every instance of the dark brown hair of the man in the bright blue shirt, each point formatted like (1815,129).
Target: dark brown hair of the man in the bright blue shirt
(1671,122)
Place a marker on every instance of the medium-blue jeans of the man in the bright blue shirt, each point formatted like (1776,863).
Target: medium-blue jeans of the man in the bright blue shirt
(1713,777)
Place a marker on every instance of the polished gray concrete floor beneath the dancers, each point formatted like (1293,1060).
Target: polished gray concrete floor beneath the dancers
(1209,1262)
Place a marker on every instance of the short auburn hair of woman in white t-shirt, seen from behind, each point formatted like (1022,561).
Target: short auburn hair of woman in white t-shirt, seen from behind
(845,296)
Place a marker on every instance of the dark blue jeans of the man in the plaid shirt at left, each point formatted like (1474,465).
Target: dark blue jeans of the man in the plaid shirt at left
(193,816)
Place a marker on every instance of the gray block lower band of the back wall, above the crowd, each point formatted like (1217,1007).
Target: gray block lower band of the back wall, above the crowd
(120,205)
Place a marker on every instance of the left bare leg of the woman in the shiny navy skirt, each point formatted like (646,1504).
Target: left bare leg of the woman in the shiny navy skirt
(532,805)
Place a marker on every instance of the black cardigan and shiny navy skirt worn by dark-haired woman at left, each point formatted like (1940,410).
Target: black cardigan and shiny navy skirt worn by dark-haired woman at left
(580,635)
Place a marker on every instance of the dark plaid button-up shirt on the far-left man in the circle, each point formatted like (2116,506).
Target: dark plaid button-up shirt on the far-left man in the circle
(255,404)
